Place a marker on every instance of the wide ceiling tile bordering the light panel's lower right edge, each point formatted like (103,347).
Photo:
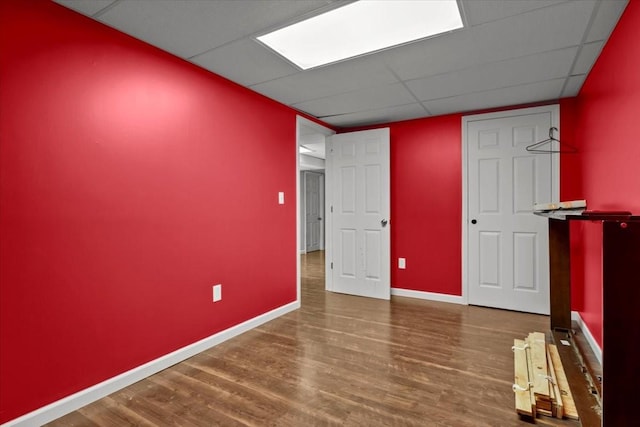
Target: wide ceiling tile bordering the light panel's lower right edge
(537,31)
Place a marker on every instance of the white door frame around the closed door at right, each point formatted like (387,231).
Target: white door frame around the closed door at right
(554,110)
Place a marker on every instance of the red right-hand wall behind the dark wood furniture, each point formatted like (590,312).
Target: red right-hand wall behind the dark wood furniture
(606,114)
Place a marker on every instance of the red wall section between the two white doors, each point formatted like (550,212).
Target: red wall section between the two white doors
(426,204)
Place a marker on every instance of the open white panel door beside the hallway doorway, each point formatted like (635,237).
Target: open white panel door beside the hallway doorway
(358,254)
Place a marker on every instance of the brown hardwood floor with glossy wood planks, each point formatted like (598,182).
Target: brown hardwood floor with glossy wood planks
(339,360)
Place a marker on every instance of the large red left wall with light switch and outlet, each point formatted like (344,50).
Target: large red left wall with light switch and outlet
(130,183)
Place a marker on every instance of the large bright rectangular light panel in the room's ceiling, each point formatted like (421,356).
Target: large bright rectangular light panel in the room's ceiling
(362,27)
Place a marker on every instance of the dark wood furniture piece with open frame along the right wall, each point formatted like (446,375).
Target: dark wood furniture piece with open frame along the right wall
(621,318)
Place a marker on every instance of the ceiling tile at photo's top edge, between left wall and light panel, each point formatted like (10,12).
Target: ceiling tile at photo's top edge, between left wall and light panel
(187,28)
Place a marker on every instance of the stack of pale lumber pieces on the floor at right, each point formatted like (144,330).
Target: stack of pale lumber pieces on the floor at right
(540,384)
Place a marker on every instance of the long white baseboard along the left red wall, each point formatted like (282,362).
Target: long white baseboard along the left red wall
(82,398)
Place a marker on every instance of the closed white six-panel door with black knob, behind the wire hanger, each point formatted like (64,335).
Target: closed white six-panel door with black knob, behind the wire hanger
(507,245)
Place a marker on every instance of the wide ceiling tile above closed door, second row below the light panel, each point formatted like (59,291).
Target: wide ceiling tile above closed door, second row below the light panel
(495,75)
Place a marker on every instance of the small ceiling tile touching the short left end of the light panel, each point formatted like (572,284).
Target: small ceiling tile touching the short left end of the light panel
(246,62)
